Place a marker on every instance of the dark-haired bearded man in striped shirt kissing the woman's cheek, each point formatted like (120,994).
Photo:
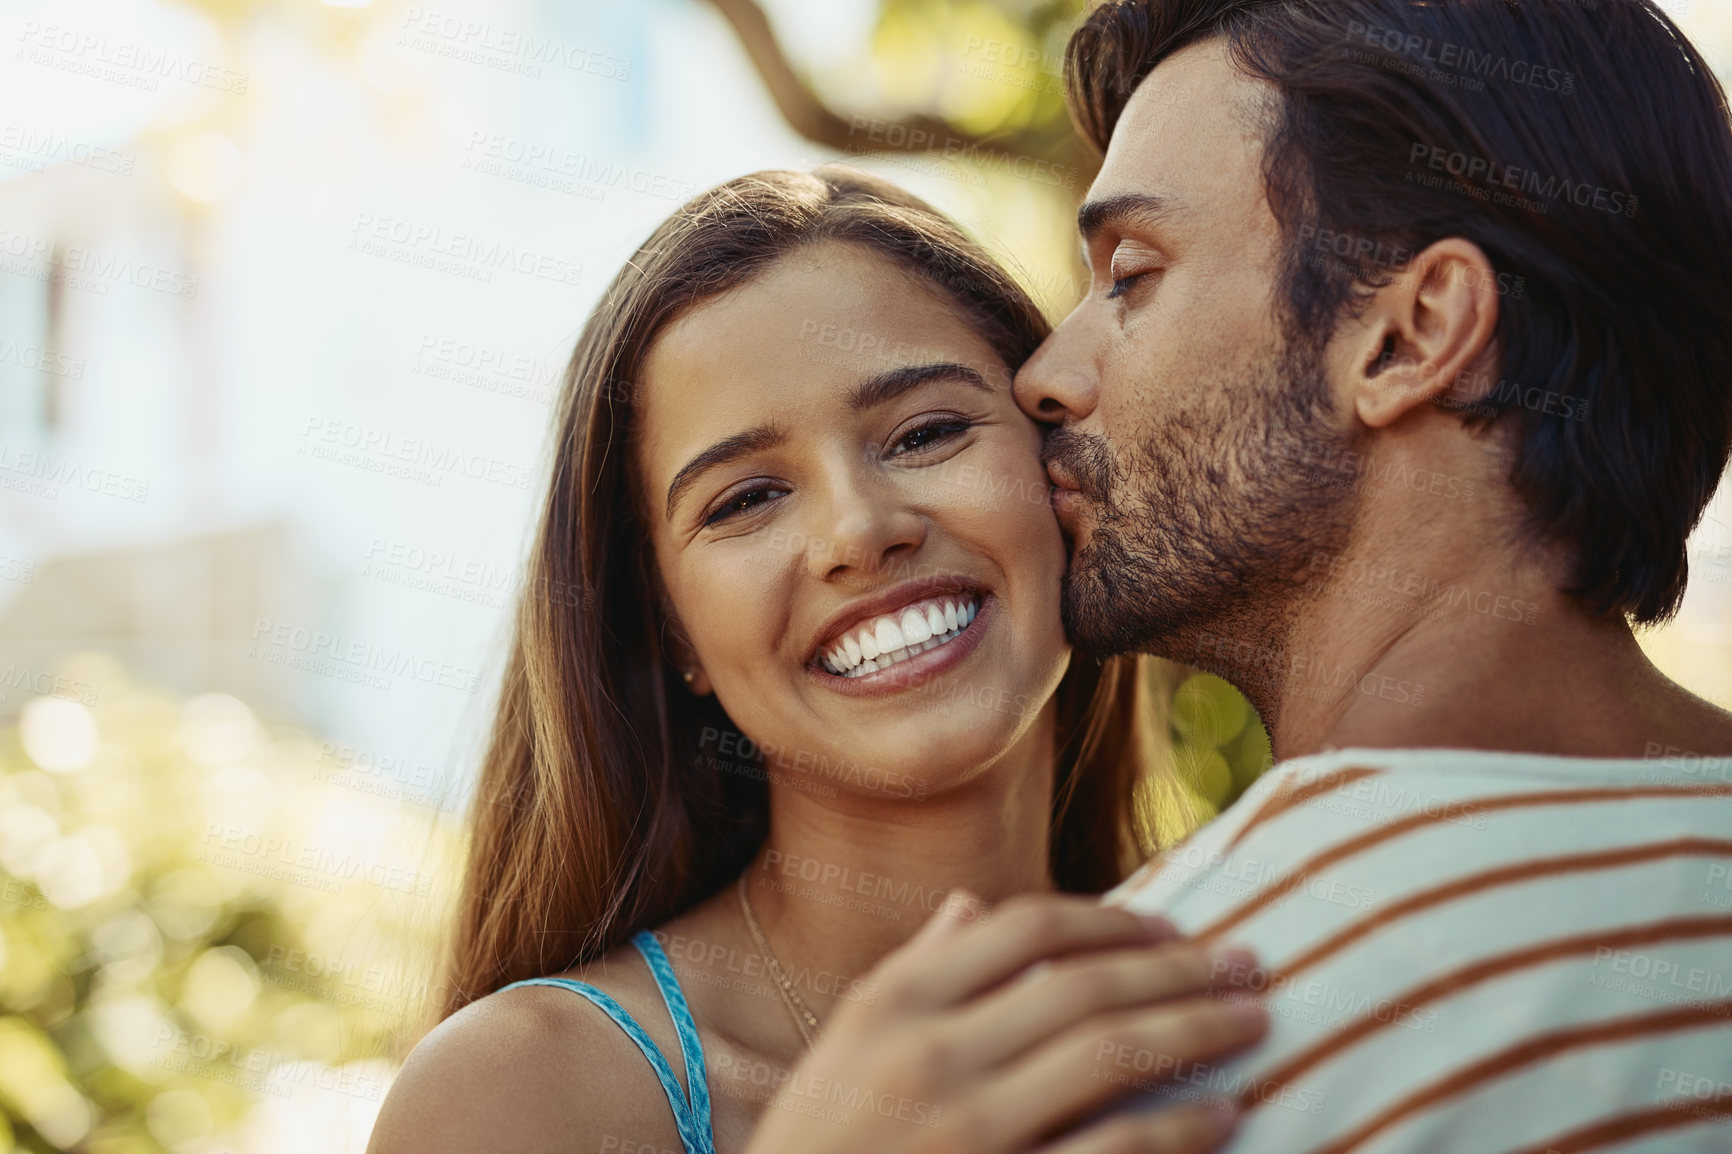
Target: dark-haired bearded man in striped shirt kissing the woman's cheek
(1400,387)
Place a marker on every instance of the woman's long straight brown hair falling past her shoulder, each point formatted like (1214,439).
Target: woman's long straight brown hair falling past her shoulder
(598,810)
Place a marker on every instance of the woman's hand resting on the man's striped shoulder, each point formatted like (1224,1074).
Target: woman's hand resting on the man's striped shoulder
(1007,1034)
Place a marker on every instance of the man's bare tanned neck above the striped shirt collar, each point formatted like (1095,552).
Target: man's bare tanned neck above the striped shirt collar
(1470,652)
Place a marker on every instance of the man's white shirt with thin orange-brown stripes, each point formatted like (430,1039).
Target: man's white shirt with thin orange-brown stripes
(1470,954)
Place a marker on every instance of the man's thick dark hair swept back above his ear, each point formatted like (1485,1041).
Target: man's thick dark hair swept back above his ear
(1586,146)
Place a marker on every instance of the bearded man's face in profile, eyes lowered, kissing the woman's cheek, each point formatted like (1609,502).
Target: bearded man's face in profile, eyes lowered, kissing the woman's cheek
(1186,410)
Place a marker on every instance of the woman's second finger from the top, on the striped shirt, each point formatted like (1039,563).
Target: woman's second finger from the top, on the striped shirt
(1063,994)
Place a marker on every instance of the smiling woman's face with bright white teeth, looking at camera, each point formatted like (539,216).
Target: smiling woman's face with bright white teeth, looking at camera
(853,522)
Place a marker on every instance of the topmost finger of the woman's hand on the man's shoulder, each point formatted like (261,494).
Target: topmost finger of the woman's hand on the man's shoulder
(938,971)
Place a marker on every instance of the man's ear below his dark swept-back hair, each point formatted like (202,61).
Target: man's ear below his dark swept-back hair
(1419,335)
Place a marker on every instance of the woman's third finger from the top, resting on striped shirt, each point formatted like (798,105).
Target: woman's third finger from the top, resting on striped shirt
(1106,1060)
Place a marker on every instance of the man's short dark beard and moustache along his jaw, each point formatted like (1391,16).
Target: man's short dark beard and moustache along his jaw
(1205,529)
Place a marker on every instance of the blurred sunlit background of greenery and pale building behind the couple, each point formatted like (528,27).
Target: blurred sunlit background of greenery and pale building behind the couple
(285,292)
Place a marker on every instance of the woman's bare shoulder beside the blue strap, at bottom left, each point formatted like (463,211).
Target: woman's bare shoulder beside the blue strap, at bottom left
(533,1070)
